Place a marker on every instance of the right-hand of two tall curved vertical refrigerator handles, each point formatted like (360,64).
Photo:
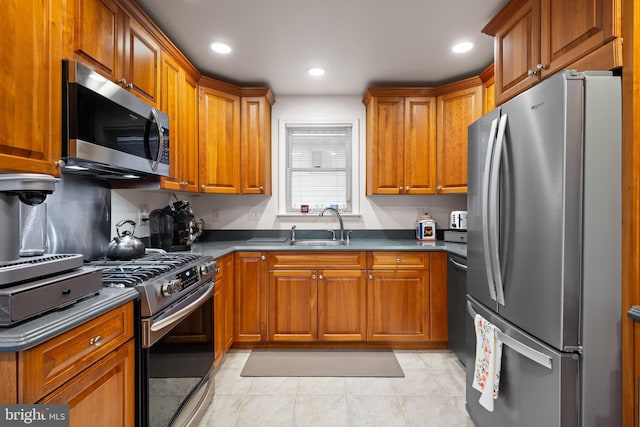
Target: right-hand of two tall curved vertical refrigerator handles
(494,210)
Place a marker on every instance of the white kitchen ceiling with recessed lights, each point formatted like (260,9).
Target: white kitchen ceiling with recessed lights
(361,43)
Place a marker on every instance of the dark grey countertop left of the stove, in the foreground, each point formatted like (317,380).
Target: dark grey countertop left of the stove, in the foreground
(26,335)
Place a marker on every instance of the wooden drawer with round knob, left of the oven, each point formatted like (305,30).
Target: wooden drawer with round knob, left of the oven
(50,364)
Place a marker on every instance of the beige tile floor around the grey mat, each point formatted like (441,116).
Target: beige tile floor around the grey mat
(430,394)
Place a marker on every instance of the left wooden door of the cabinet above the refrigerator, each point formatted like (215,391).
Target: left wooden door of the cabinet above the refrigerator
(517,51)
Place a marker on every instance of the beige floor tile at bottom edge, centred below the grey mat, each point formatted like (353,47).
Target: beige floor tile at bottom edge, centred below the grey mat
(320,411)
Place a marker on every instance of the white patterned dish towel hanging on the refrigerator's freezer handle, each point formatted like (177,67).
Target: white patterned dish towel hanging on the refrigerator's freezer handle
(486,378)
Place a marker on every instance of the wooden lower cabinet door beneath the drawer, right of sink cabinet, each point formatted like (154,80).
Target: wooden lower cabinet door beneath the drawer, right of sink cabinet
(398,305)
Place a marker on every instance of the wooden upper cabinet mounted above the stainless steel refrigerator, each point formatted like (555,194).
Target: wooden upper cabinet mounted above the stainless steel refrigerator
(536,38)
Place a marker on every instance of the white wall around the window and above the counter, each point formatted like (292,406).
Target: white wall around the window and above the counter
(260,212)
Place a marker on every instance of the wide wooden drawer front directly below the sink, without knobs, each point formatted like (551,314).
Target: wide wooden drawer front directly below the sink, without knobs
(320,259)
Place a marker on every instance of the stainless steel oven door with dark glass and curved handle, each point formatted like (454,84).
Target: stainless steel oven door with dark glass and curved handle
(177,361)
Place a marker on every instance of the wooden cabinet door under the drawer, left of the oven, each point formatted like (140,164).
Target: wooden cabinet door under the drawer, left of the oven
(104,394)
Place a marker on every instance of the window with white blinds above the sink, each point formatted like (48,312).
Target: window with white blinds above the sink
(319,171)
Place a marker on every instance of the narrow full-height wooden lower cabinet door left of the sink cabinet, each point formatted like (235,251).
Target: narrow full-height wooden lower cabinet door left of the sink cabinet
(250,297)
